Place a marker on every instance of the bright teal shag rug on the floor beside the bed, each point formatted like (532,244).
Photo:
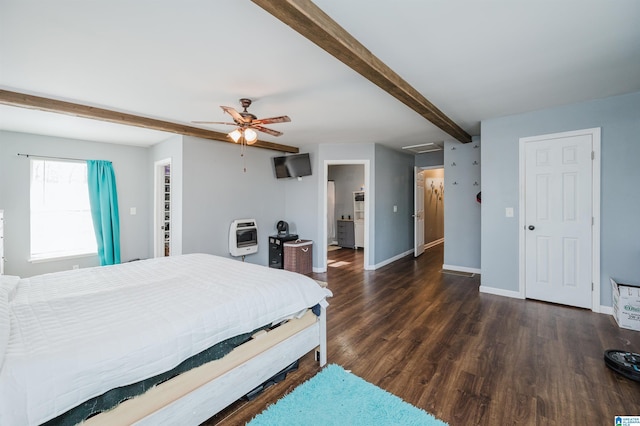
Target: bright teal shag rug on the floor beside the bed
(337,397)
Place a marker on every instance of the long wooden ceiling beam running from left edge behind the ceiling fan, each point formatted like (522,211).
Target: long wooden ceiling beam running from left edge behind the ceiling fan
(78,110)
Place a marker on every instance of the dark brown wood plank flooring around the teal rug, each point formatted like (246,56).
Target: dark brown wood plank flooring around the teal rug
(466,357)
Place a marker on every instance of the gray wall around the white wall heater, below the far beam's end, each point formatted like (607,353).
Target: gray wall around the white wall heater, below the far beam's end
(216,191)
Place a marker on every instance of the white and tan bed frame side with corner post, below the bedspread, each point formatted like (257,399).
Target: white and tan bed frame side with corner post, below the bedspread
(197,395)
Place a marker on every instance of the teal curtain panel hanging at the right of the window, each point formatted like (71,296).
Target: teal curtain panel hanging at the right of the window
(104,210)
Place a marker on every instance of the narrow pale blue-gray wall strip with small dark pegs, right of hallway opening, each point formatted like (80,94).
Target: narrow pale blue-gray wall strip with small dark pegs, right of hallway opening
(462,211)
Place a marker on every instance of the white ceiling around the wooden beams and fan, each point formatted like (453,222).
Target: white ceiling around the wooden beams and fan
(179,60)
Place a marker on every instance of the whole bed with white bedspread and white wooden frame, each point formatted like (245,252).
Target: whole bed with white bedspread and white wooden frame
(71,336)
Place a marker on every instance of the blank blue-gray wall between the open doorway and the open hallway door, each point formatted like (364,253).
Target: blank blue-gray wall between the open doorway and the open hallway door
(393,187)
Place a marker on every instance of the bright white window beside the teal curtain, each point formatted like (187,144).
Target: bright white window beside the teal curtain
(61,222)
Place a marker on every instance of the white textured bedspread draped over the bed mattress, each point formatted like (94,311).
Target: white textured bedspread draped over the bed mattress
(76,334)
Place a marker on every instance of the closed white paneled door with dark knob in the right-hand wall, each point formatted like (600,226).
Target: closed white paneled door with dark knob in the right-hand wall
(558,219)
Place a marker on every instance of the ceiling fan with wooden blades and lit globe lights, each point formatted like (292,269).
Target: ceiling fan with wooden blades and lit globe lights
(247,123)
